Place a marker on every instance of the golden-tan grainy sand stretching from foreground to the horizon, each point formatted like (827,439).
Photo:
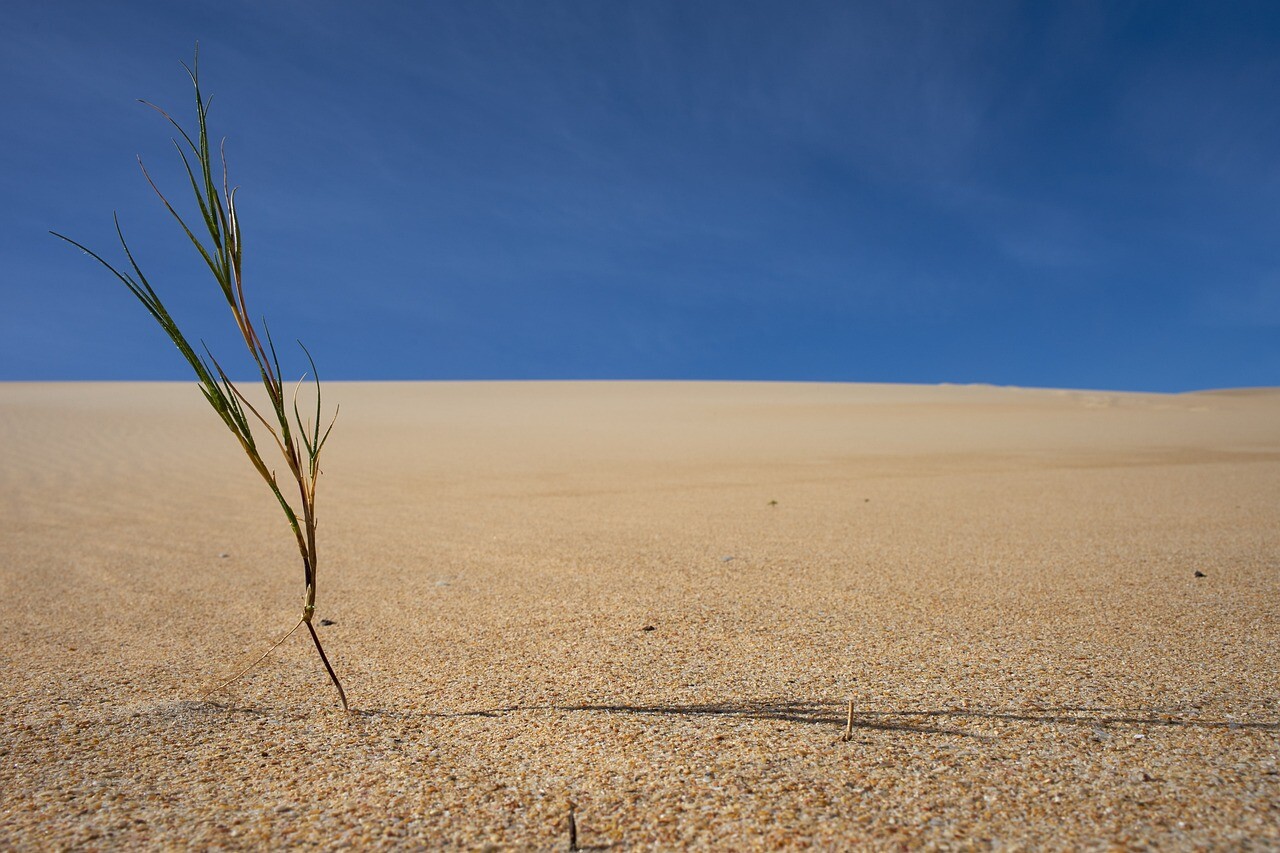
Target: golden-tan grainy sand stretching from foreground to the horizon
(655,601)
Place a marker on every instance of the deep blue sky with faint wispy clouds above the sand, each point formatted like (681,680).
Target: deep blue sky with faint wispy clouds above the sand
(1037,194)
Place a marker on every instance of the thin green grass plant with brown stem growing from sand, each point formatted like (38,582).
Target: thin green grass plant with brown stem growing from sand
(300,443)
